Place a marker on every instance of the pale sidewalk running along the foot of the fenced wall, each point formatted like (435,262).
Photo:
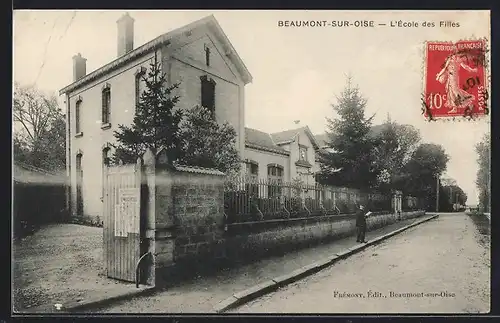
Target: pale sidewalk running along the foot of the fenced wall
(205,293)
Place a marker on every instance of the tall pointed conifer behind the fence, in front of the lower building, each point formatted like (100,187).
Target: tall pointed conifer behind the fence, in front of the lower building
(349,161)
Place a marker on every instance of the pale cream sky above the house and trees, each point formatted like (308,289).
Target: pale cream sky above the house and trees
(297,72)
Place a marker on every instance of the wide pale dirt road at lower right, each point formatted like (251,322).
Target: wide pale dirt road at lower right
(438,267)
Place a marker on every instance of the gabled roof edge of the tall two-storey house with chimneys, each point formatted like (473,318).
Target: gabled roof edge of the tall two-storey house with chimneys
(164,40)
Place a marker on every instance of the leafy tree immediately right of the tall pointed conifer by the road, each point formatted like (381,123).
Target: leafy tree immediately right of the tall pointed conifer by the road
(394,146)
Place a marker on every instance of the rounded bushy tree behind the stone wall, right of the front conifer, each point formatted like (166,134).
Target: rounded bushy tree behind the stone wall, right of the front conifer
(206,143)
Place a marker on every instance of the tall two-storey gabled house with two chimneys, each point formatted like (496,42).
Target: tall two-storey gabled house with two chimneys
(198,55)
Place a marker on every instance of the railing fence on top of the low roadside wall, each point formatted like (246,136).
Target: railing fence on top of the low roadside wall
(246,200)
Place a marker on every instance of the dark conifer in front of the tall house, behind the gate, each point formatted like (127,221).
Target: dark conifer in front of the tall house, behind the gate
(156,121)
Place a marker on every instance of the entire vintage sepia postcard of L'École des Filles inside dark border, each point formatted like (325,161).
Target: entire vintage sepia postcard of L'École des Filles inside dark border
(251,162)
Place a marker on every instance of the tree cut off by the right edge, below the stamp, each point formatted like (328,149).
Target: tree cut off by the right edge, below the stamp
(483,177)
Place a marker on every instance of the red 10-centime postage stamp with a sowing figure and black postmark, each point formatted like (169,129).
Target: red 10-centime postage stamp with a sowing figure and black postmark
(455,80)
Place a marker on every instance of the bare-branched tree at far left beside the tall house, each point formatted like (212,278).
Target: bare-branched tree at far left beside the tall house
(39,129)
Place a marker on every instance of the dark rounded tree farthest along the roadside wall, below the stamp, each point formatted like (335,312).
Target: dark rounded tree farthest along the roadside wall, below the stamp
(427,162)
